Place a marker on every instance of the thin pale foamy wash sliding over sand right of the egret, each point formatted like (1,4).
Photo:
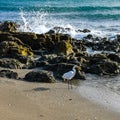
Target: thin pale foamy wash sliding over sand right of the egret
(101,92)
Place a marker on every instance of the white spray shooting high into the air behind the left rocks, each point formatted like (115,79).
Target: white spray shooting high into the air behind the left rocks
(34,22)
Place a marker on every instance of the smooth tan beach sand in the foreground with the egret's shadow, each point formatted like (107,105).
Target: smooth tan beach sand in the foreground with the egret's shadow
(21,100)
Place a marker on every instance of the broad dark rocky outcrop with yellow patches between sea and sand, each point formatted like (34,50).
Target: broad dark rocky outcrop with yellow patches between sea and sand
(58,52)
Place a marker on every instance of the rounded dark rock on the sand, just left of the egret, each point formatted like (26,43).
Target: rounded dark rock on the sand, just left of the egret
(40,76)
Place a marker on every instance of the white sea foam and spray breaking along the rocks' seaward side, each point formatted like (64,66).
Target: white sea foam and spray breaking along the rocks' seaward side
(41,22)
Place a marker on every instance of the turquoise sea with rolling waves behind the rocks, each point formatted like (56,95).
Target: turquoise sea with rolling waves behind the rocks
(97,15)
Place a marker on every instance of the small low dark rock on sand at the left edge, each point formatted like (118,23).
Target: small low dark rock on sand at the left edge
(8,74)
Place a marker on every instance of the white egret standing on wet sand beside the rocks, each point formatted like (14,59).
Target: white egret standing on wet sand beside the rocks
(69,75)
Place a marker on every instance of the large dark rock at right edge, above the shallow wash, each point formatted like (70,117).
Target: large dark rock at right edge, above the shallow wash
(101,65)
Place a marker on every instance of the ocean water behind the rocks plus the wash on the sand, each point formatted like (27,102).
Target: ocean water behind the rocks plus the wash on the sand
(102,17)
